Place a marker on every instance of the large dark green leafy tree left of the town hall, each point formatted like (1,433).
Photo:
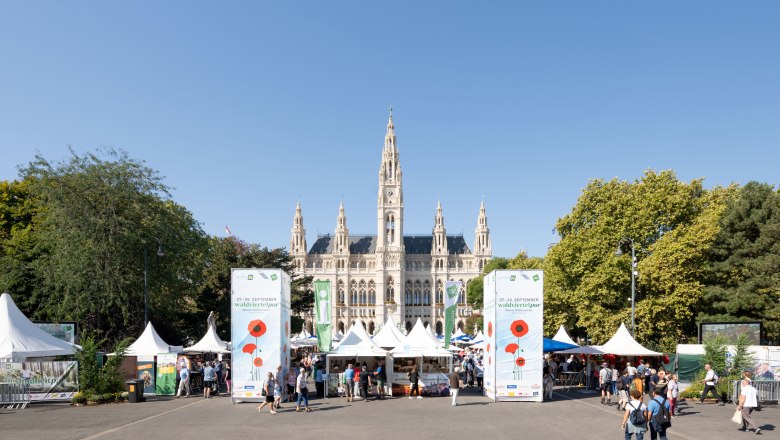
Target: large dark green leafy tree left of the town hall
(103,212)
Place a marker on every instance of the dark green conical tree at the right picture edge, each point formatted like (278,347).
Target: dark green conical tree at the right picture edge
(743,275)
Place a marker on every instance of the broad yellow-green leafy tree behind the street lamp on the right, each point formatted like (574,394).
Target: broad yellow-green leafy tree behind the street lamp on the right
(587,287)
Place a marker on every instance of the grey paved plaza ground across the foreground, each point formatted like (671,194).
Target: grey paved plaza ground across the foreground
(577,415)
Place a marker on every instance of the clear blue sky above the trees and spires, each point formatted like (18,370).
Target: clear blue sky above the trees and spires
(246,107)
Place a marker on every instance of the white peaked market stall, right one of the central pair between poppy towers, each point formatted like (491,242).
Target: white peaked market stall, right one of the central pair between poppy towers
(432,362)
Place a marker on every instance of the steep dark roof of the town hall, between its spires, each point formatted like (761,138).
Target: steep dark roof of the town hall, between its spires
(414,244)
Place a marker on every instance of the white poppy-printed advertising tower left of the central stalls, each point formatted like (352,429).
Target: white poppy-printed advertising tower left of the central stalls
(260,328)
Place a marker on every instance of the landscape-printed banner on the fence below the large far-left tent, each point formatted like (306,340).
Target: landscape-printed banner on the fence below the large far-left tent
(48,380)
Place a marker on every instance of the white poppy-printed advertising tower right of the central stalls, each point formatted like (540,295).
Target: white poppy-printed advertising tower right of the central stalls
(517,323)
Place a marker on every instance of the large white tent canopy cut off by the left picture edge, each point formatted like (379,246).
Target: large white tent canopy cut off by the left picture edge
(21,339)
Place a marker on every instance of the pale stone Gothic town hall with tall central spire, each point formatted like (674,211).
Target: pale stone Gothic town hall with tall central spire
(391,274)
